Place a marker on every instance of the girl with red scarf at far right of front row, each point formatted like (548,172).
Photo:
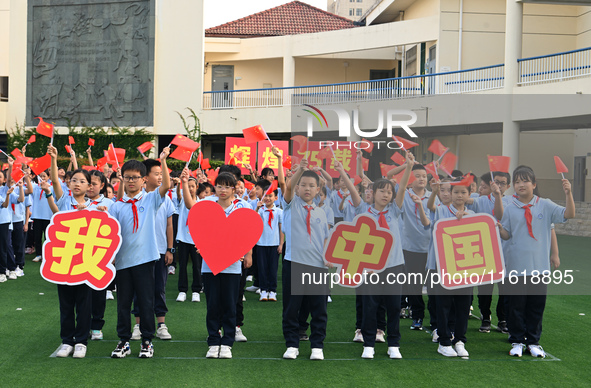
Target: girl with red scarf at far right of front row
(527,223)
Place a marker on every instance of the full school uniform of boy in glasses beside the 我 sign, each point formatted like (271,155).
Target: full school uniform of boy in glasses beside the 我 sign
(136,259)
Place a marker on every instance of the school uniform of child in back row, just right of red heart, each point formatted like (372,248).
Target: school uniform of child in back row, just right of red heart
(267,255)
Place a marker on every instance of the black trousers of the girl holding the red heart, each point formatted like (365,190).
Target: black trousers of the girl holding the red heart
(221,292)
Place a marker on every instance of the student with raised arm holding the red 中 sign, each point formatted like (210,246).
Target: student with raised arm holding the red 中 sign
(387,209)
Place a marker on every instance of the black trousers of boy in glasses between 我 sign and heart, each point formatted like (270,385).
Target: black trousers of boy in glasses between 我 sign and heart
(138,280)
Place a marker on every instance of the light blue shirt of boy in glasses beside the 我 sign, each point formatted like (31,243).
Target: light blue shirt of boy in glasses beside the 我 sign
(139,247)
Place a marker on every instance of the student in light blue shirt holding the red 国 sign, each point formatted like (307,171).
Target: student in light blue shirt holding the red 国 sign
(447,300)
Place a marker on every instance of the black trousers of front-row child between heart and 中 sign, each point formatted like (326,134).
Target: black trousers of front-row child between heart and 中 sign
(317,305)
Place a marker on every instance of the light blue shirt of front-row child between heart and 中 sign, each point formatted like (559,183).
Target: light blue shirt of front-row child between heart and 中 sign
(302,247)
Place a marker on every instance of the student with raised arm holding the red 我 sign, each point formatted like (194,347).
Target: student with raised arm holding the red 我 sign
(75,301)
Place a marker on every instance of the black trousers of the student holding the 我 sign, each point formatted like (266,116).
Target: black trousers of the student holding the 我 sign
(74,313)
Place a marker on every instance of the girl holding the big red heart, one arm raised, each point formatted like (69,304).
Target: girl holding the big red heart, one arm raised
(221,290)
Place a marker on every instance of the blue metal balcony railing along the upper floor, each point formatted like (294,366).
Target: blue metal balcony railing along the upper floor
(531,70)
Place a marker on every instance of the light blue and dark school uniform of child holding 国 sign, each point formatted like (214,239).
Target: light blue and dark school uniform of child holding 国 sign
(448,300)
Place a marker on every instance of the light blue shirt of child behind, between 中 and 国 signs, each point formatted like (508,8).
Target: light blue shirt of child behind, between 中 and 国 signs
(414,236)
